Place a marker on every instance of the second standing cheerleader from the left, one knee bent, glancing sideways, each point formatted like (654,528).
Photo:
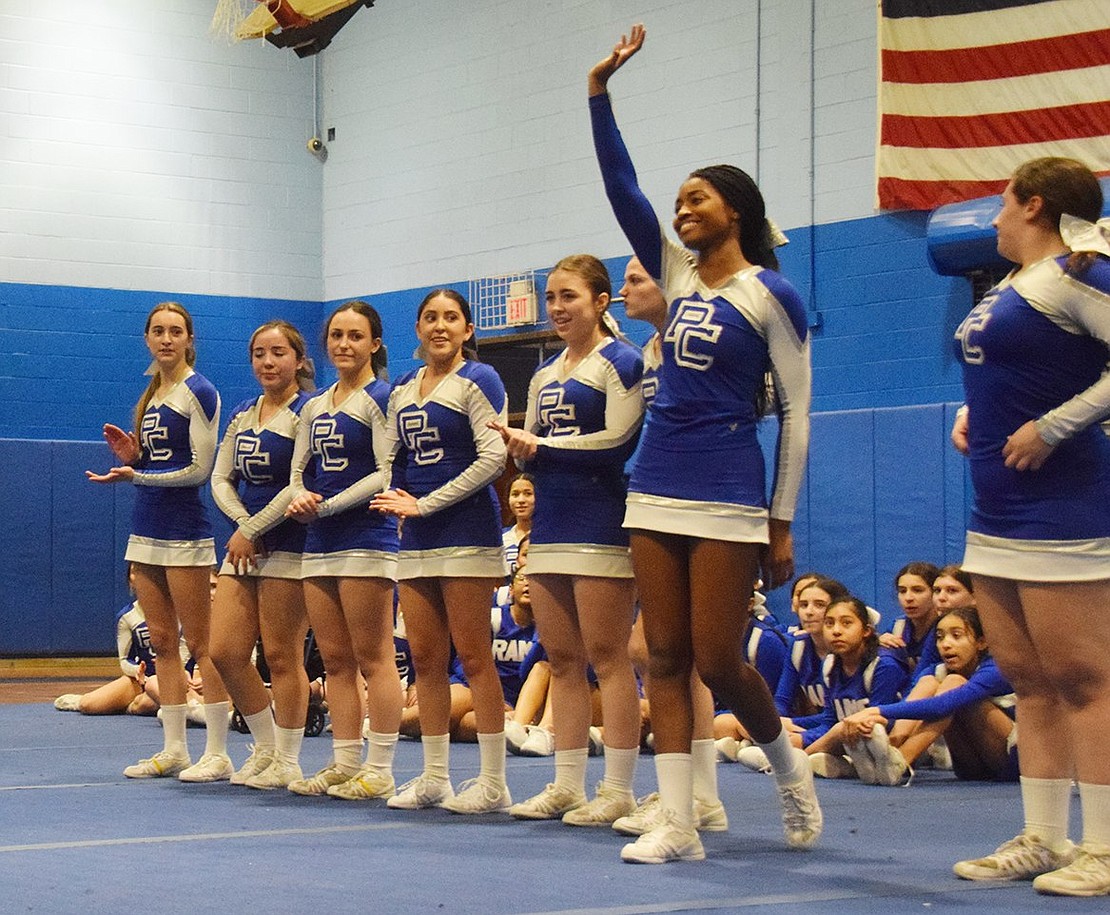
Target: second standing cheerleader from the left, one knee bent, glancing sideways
(260,591)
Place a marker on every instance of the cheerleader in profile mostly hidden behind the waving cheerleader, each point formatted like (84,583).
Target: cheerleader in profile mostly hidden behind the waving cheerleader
(644,301)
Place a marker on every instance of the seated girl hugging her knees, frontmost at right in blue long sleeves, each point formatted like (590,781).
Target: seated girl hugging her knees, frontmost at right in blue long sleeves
(966,700)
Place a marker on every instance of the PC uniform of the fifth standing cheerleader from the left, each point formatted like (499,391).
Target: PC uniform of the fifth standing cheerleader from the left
(588,421)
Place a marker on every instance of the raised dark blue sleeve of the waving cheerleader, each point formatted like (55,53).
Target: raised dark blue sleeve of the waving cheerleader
(634,213)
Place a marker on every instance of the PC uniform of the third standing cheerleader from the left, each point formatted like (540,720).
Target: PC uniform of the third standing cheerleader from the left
(342,454)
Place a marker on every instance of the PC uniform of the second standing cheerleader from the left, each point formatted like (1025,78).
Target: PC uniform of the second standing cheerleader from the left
(250,485)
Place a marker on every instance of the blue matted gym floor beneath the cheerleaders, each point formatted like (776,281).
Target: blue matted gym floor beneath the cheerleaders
(77,837)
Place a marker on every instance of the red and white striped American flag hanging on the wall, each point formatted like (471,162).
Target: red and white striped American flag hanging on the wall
(971,89)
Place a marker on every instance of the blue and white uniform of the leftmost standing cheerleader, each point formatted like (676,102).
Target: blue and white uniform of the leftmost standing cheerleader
(178,436)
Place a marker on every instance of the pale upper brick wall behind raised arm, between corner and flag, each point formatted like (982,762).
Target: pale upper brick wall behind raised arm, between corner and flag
(463,140)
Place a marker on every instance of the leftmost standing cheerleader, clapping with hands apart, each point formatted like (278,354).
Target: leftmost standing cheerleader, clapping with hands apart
(169,458)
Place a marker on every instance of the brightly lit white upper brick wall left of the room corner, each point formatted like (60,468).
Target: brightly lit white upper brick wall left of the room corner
(136,153)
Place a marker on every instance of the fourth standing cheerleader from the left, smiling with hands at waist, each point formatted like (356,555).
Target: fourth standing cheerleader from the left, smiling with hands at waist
(452,559)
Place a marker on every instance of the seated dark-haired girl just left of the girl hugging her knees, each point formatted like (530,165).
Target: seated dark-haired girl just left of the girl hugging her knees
(855,675)
